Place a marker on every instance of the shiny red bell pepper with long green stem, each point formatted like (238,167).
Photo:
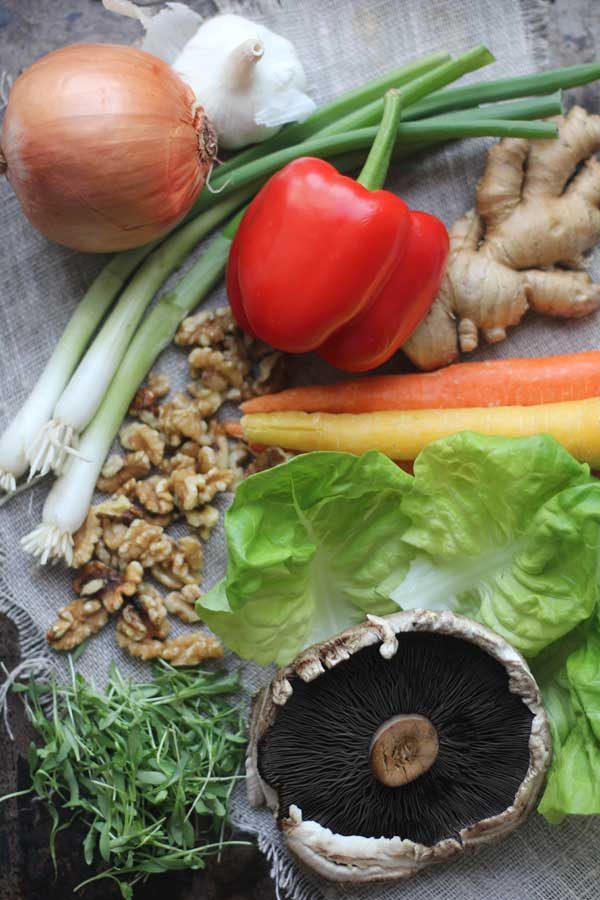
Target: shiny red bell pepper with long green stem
(322,262)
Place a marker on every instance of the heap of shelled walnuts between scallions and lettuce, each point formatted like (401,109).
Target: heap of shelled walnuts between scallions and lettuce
(177,460)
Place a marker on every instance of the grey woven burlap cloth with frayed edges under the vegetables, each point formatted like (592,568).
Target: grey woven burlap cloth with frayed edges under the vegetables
(342,43)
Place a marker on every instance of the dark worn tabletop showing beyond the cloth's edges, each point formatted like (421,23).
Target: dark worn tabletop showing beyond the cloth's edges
(28,29)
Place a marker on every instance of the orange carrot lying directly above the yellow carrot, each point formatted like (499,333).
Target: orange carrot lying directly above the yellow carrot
(502,382)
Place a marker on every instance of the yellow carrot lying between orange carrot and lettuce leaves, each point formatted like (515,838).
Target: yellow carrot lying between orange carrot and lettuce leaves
(403,434)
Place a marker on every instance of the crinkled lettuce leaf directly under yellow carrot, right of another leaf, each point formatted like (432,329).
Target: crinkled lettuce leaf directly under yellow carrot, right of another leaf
(505,531)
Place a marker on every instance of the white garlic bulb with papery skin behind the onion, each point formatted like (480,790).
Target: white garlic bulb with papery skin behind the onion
(247,78)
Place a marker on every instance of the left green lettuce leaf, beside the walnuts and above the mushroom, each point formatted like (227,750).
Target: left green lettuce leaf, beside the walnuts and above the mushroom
(310,544)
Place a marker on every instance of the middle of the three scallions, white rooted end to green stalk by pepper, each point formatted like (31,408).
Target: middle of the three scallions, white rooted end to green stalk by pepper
(76,406)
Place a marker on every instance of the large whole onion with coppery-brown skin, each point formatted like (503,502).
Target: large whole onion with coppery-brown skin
(105,146)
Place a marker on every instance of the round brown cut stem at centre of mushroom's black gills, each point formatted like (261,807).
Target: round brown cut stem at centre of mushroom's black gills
(403,748)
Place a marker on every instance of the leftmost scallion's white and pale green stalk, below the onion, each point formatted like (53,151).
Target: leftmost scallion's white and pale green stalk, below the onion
(38,407)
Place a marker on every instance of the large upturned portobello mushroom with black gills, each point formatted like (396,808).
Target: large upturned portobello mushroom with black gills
(401,742)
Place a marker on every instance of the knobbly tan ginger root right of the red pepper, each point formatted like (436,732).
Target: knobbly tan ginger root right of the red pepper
(518,249)
